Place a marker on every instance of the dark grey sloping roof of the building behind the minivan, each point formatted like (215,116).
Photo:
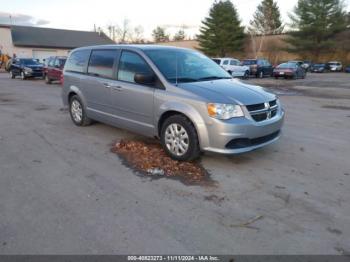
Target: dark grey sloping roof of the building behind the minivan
(27,36)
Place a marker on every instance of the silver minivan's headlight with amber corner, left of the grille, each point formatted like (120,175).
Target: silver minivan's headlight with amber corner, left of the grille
(224,111)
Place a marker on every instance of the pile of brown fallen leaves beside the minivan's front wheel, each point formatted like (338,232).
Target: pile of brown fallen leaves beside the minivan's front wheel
(148,155)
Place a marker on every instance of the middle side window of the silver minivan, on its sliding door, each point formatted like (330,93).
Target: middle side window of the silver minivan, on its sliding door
(101,63)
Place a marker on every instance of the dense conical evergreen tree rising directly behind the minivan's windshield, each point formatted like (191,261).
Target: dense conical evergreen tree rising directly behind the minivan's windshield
(221,32)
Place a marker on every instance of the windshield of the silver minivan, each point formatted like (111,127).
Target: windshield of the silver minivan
(186,65)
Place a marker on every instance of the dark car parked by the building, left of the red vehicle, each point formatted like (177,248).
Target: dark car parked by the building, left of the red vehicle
(25,68)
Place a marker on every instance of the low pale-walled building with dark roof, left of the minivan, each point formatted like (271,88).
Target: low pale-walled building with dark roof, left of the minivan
(40,43)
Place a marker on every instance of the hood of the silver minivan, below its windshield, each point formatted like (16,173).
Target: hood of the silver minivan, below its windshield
(230,91)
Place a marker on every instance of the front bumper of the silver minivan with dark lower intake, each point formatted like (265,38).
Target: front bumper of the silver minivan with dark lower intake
(222,134)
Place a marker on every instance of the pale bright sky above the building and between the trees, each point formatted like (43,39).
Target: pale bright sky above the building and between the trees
(82,15)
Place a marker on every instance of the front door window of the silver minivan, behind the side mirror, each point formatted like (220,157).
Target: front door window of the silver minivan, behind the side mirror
(130,64)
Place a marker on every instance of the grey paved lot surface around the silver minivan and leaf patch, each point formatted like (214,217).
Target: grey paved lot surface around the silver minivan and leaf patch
(63,192)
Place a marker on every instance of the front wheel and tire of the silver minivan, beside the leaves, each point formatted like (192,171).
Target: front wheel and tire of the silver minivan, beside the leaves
(185,128)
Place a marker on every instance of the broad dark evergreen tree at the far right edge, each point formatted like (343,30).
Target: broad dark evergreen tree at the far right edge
(315,23)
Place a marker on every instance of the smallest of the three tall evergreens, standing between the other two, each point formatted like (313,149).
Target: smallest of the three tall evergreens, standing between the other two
(267,19)
